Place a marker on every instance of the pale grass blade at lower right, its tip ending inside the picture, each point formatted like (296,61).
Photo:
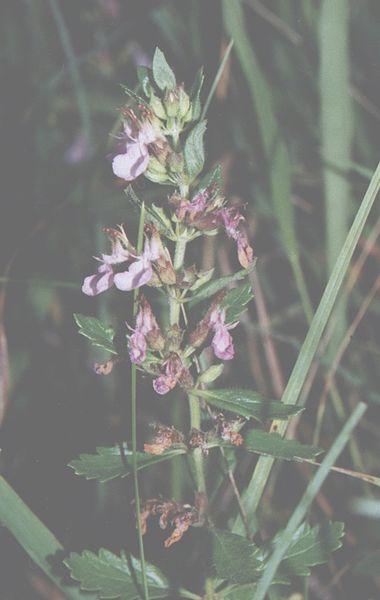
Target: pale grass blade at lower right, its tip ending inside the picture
(301,509)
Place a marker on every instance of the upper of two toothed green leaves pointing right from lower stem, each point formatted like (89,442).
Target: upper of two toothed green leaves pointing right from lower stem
(247,403)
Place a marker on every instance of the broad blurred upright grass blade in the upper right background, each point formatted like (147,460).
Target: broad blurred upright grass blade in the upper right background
(336,131)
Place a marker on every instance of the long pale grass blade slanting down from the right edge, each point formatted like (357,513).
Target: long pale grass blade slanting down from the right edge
(309,348)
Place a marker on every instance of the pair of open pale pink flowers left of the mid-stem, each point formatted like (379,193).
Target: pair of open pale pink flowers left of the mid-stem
(137,274)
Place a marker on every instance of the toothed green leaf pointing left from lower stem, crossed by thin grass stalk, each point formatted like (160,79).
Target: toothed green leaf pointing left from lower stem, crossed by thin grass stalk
(108,463)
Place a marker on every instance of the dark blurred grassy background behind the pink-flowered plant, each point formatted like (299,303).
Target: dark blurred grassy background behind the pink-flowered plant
(289,151)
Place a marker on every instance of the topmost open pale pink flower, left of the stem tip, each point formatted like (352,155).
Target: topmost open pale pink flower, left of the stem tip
(134,158)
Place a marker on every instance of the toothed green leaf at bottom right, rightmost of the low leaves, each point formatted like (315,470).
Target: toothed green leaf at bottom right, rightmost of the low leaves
(311,546)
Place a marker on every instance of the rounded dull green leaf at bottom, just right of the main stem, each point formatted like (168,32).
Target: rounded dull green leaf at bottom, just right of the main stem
(235,558)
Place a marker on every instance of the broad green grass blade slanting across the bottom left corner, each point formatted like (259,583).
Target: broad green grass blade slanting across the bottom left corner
(36,539)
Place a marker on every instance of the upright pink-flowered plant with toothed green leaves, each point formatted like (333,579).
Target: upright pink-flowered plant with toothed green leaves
(185,349)
